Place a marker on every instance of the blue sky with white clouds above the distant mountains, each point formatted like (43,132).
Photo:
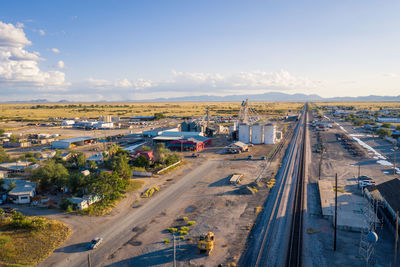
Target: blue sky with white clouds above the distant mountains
(116,50)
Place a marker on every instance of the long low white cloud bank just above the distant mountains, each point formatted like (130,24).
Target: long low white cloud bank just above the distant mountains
(198,83)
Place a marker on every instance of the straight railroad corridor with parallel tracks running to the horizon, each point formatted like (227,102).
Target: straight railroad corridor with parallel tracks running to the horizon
(276,234)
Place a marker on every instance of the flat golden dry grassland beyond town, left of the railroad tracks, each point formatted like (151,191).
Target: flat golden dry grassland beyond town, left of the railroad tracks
(33,111)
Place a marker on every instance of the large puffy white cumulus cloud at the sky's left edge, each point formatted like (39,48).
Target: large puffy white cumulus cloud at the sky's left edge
(20,67)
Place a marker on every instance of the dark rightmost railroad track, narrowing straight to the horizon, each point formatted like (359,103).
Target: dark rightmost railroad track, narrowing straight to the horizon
(296,234)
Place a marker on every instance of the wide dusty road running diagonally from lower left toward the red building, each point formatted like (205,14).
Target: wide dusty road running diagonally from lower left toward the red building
(120,231)
